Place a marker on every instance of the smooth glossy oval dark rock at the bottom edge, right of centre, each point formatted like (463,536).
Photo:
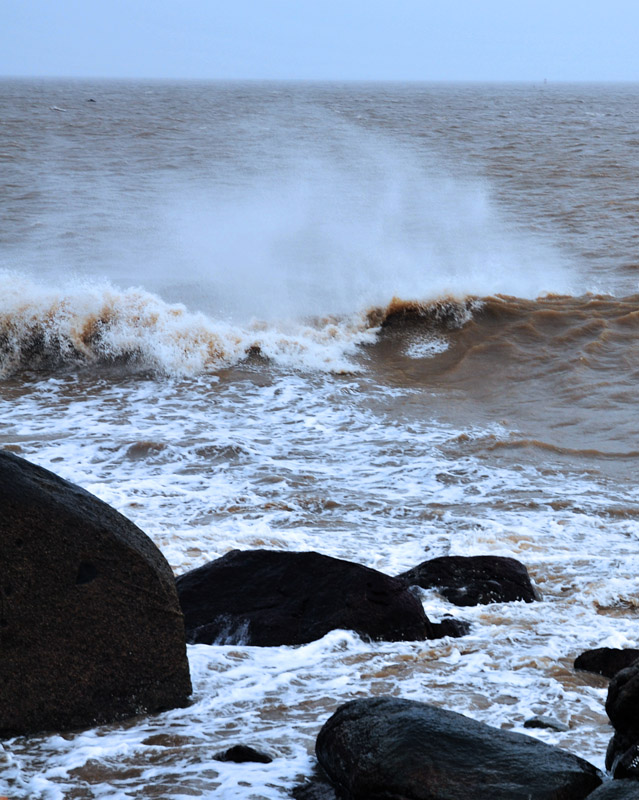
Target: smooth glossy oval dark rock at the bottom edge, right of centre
(387,748)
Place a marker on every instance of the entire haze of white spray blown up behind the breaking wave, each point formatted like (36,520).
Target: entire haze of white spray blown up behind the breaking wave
(313,216)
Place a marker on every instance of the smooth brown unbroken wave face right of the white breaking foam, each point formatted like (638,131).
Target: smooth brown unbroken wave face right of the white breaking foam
(561,371)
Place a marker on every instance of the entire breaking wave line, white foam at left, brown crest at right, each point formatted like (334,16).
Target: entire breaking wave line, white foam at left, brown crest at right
(42,328)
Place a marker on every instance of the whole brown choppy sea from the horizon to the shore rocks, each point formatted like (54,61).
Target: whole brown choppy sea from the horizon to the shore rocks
(384,322)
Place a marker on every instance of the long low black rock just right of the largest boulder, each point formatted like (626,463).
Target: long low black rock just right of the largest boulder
(271,598)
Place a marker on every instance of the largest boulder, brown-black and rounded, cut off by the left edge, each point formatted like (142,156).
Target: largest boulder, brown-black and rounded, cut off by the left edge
(90,625)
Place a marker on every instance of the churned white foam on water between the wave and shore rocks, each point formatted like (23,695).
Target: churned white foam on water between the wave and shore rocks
(318,462)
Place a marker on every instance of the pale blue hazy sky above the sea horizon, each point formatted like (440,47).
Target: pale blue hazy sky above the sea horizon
(415,40)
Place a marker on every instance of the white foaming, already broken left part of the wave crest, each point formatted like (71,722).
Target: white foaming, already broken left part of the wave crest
(45,328)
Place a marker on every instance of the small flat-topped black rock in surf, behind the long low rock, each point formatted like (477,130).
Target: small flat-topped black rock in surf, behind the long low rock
(474,580)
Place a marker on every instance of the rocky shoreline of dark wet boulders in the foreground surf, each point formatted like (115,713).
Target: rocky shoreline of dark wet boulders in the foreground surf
(92,629)
